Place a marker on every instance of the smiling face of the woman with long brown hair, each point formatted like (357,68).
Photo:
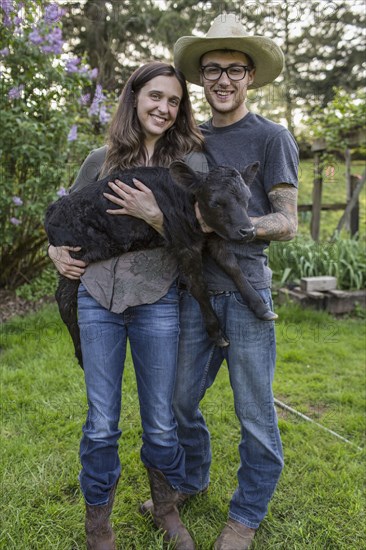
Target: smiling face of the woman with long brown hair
(158,105)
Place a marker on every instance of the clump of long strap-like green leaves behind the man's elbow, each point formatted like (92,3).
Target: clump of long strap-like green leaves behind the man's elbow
(344,259)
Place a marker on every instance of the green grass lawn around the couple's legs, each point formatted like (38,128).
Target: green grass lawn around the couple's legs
(318,504)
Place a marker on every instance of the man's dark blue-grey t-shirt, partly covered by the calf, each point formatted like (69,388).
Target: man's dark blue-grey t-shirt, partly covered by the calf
(253,138)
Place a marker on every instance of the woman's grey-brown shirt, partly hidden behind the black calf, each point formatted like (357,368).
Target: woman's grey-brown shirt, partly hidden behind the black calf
(135,278)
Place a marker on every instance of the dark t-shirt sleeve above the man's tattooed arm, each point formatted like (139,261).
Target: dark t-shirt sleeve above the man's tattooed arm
(282,161)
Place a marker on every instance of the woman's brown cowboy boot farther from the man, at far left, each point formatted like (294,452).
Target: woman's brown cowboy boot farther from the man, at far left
(99,532)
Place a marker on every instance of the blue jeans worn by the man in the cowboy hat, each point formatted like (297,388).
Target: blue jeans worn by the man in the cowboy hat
(251,362)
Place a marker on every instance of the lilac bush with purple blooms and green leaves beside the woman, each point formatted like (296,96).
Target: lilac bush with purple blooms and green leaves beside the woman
(52,115)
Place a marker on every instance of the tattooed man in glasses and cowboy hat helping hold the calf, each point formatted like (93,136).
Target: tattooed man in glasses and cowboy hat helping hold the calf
(226,62)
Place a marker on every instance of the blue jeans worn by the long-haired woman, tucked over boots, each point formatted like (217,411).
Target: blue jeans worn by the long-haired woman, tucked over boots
(153,332)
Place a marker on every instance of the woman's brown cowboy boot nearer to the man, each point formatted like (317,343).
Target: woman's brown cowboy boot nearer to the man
(165,512)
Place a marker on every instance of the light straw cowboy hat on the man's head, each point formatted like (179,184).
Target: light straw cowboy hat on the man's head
(227,32)
